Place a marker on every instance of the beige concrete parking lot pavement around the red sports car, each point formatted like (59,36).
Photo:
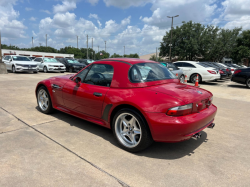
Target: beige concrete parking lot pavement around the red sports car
(62,150)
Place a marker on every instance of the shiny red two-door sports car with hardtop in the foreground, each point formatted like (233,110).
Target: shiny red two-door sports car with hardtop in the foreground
(140,100)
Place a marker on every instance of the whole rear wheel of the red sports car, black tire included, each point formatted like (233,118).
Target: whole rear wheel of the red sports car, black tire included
(132,137)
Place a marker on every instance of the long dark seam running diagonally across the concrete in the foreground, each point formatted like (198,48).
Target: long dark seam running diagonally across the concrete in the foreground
(118,180)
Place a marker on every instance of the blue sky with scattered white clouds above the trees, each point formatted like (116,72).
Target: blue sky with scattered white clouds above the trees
(139,25)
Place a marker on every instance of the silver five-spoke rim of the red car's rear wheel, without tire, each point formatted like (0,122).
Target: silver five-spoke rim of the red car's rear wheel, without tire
(128,130)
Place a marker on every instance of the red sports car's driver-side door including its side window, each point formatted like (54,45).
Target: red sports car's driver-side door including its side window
(89,96)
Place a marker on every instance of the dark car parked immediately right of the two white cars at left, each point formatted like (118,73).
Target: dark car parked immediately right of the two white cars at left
(72,65)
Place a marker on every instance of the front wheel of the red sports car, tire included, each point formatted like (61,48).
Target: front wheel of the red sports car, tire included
(44,100)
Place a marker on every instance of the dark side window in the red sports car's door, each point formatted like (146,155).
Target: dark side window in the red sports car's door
(100,74)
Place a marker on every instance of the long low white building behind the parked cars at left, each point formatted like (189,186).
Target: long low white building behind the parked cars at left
(35,54)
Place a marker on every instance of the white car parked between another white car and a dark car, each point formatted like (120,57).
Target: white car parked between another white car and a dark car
(49,64)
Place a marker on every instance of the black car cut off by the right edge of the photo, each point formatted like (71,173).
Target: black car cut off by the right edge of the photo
(242,76)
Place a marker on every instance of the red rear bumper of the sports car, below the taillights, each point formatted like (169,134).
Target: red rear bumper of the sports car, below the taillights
(174,129)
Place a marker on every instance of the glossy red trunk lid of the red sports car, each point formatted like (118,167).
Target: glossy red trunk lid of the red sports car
(188,94)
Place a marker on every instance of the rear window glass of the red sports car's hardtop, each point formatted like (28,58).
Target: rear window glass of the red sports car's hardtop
(146,72)
